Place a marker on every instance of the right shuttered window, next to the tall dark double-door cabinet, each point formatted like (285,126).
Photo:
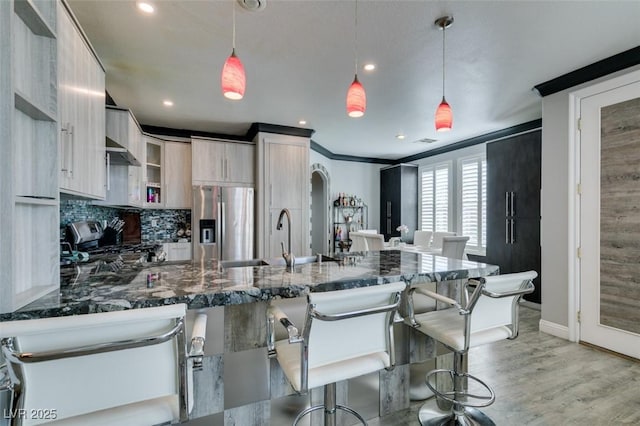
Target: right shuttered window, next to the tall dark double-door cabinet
(472,192)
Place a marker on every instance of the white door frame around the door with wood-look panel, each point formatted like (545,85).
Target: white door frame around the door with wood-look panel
(574,171)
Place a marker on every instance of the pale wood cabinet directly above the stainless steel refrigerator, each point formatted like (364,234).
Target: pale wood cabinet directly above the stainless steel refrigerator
(224,163)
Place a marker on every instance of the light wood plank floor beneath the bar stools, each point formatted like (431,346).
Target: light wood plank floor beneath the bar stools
(543,380)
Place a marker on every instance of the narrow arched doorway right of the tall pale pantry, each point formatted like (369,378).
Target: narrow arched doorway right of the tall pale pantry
(319,214)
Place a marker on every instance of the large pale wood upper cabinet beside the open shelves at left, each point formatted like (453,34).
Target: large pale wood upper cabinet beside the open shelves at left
(81,99)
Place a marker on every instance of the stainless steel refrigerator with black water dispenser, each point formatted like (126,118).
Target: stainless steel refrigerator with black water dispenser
(222,223)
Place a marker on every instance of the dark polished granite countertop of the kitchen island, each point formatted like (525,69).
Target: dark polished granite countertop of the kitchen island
(200,285)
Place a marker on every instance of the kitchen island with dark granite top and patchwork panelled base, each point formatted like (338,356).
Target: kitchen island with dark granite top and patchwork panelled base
(239,384)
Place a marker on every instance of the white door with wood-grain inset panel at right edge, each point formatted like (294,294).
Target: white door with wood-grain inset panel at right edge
(610,219)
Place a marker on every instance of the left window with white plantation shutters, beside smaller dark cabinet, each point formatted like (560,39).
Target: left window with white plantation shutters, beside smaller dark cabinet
(435,197)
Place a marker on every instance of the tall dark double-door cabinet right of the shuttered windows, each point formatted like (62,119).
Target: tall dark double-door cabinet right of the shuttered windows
(513,205)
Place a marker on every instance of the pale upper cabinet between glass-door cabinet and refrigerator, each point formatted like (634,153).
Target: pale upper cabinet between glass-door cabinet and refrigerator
(177,175)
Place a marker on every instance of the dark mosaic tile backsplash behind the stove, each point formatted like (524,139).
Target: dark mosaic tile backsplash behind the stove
(167,221)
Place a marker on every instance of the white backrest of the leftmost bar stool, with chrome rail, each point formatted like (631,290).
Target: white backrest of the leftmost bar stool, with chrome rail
(82,384)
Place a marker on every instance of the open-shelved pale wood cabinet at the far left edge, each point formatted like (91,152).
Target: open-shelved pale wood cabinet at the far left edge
(29,200)
